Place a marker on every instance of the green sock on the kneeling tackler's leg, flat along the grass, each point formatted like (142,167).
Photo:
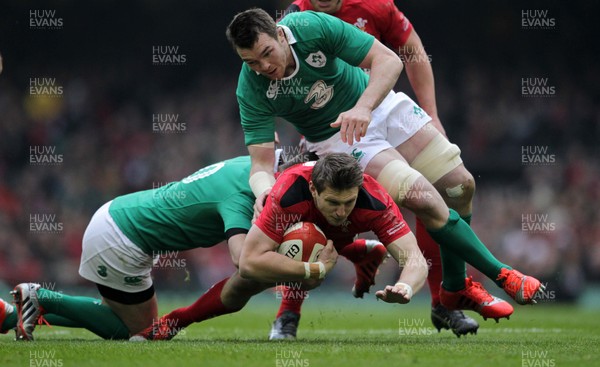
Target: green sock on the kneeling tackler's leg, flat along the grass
(85,312)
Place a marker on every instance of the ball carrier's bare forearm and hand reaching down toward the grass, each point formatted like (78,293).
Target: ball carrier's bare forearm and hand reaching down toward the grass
(414,272)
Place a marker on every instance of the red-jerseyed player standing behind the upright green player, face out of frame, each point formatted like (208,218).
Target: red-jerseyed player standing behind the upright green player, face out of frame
(382,19)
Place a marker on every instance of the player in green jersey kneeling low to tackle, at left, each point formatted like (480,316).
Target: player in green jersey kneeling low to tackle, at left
(123,239)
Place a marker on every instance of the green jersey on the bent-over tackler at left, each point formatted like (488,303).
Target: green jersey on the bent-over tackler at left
(194,212)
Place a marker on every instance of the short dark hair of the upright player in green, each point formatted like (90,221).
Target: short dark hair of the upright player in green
(244,29)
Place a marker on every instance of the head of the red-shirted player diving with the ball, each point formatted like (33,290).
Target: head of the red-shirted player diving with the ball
(335,181)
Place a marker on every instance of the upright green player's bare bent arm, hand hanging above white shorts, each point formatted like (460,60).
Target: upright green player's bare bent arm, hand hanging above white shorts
(385,68)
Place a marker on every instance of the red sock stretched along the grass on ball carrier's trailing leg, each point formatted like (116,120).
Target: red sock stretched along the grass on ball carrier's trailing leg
(209,305)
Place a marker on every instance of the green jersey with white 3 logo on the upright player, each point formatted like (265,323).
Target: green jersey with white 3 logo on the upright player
(326,81)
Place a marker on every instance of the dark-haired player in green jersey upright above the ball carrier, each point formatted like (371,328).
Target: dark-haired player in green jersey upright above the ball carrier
(307,70)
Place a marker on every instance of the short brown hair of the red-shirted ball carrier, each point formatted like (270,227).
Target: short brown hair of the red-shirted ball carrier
(337,171)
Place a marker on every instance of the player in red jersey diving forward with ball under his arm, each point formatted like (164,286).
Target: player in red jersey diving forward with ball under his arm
(334,194)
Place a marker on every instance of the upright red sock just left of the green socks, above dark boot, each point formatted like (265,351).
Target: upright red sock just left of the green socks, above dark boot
(431,252)
